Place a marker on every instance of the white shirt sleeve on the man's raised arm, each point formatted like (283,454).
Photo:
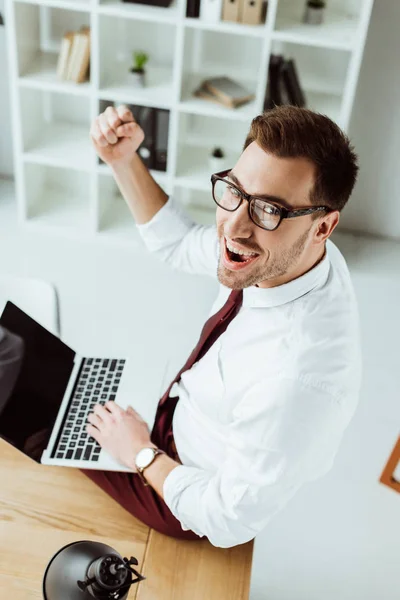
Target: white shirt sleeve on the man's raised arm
(177,240)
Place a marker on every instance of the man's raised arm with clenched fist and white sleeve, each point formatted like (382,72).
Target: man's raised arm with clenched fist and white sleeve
(165,229)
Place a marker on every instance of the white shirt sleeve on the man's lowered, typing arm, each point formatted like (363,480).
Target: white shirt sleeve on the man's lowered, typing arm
(283,434)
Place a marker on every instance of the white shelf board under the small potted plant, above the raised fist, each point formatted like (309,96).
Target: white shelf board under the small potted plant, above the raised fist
(158,91)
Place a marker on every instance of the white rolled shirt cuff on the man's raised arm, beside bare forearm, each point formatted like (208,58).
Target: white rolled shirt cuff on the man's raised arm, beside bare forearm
(169,225)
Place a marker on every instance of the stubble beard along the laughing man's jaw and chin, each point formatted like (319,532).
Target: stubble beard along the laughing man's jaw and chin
(287,259)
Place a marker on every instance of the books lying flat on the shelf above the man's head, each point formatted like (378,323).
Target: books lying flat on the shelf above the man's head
(224,91)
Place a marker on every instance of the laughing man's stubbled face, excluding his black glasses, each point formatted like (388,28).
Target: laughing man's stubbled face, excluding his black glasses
(279,252)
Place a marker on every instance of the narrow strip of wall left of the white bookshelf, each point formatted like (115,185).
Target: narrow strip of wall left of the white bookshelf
(6,150)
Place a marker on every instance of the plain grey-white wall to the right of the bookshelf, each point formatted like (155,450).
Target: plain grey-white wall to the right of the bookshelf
(375,128)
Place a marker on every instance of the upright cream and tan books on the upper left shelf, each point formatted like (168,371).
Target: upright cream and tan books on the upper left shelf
(74,58)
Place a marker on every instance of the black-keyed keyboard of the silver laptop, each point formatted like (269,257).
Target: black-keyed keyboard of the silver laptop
(97,384)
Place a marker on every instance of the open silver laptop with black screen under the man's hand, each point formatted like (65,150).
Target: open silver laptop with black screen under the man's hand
(43,413)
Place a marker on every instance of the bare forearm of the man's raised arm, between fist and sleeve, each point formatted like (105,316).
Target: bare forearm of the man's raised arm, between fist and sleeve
(141,192)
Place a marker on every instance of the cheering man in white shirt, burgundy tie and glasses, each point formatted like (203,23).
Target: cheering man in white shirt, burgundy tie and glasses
(262,403)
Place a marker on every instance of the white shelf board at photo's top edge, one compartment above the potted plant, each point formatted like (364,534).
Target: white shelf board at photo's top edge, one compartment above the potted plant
(143,12)
